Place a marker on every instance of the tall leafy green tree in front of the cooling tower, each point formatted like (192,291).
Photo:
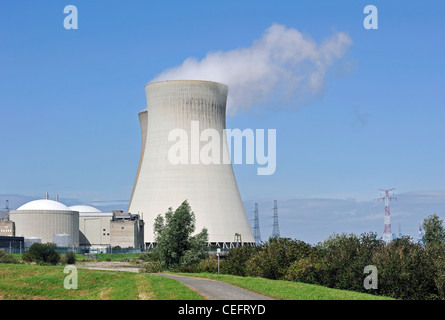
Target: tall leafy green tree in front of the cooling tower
(175,244)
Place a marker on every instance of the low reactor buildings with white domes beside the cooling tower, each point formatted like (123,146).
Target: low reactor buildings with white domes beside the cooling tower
(83,227)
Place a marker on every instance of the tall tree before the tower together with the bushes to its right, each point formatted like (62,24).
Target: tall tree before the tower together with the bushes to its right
(405,269)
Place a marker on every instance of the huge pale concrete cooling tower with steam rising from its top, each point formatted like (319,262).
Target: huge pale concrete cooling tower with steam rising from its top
(177,111)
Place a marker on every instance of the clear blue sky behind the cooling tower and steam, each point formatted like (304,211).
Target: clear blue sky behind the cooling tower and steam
(69,101)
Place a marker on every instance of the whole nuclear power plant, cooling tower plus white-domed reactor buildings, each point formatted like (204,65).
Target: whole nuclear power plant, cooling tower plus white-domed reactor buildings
(176,164)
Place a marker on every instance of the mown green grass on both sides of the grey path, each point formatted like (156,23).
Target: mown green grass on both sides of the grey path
(33,282)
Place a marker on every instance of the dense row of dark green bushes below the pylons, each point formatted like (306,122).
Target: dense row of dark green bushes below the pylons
(405,269)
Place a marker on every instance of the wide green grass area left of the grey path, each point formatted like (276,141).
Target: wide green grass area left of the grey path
(32,282)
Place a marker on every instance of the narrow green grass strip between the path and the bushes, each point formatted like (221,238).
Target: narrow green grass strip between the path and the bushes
(287,290)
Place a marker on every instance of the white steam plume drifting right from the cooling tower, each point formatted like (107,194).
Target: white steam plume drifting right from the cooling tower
(283,63)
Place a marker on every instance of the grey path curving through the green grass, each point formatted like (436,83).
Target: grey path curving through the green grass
(216,290)
